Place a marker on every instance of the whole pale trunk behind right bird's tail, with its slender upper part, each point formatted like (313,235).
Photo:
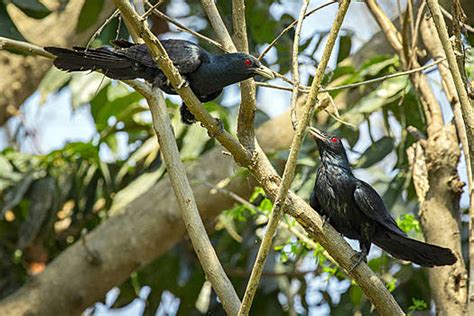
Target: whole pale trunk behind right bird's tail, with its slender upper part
(434,166)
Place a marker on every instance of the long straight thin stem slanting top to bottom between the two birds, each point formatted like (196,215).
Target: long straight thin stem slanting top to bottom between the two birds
(290,166)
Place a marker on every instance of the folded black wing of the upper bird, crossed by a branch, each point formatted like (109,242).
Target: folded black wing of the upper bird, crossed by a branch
(185,55)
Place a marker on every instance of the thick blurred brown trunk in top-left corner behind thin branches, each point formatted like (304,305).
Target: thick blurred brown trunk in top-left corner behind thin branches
(22,74)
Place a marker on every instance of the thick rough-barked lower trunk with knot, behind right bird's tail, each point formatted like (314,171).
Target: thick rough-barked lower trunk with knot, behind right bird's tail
(439,188)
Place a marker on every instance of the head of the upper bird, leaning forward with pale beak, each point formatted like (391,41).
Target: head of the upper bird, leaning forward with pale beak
(247,66)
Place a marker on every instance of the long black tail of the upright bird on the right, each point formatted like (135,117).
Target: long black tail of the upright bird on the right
(421,253)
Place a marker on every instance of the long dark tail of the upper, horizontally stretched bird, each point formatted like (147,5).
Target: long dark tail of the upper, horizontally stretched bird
(104,59)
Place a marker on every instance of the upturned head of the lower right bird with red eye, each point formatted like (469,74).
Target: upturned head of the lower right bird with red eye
(330,148)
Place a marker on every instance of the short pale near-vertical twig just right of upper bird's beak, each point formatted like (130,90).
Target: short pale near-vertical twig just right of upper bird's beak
(295,64)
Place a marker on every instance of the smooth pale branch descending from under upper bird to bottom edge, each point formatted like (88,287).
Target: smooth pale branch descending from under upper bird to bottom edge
(187,204)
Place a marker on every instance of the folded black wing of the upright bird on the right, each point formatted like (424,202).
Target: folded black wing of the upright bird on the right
(371,204)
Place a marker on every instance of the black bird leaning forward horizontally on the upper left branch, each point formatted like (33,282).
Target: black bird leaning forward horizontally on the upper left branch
(206,73)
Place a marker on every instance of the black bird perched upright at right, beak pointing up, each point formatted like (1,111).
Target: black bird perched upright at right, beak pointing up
(356,211)
